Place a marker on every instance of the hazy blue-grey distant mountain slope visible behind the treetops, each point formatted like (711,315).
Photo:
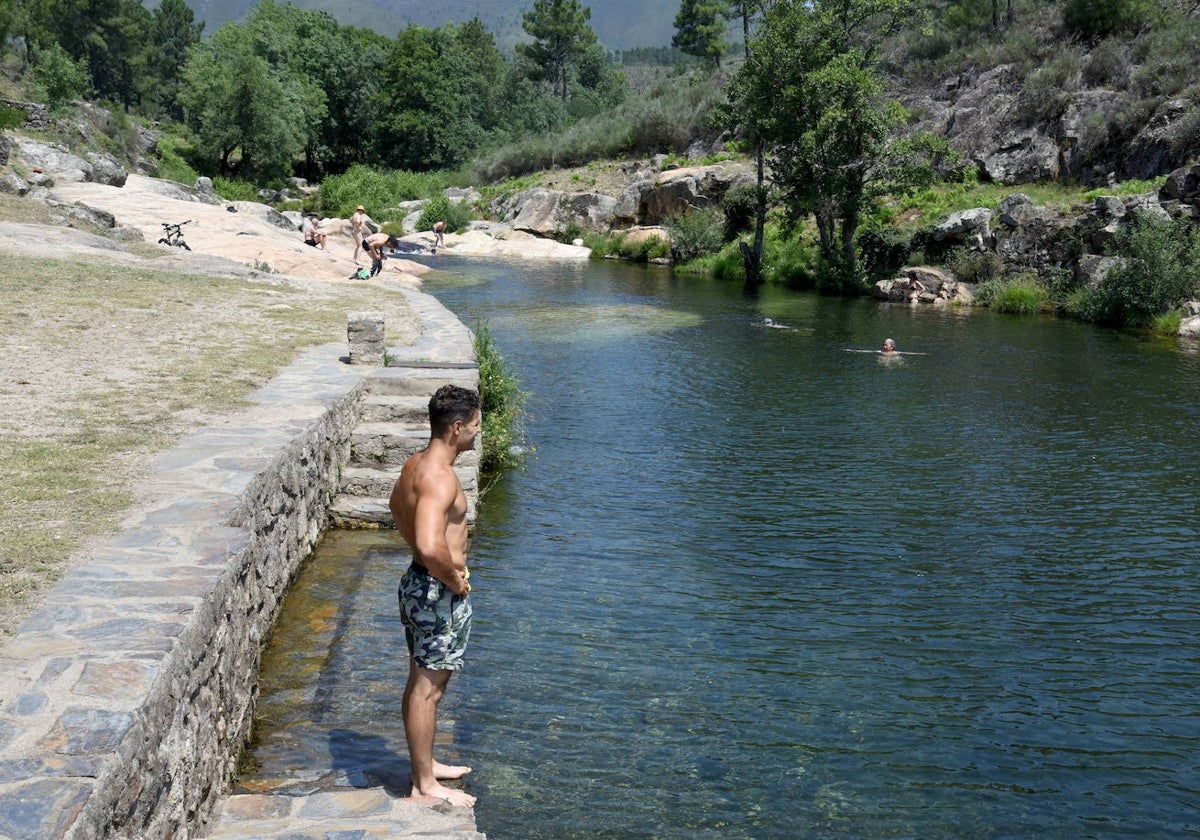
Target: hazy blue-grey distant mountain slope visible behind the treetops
(619,25)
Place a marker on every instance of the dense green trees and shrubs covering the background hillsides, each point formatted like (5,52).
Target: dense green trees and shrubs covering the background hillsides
(829,101)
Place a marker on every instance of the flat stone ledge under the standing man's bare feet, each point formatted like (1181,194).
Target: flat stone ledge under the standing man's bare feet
(369,813)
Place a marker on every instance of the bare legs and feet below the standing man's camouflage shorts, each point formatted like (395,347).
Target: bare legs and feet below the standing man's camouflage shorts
(423,693)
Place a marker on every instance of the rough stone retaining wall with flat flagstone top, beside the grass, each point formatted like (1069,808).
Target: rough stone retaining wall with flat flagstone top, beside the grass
(129,695)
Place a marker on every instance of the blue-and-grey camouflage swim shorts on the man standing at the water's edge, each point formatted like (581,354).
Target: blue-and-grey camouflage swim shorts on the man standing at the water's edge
(437,622)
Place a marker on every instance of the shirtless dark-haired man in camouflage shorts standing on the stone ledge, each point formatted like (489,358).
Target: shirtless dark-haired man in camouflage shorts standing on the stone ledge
(430,509)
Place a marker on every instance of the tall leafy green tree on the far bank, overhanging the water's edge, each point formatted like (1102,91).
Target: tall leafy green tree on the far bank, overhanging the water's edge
(813,94)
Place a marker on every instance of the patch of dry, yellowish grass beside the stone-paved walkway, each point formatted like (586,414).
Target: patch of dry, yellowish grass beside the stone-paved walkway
(103,367)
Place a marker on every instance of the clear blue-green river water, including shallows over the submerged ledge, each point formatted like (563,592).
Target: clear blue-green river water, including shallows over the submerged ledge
(753,585)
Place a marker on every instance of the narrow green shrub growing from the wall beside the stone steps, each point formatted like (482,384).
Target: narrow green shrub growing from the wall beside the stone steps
(503,406)
